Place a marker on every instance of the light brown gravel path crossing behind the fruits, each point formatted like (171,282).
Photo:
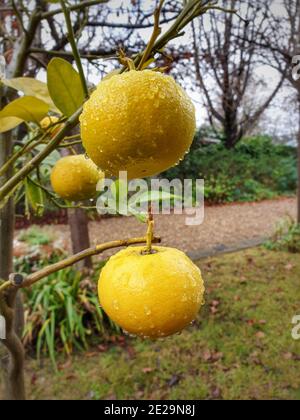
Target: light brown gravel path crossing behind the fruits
(223,226)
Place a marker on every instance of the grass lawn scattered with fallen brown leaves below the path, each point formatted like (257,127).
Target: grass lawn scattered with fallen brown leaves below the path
(239,348)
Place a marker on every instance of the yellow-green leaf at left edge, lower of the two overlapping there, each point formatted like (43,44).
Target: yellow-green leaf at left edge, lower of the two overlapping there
(26,108)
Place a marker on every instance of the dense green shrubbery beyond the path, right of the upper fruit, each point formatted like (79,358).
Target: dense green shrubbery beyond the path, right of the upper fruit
(255,169)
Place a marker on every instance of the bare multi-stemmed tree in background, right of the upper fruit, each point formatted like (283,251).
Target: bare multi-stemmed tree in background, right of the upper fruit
(225,66)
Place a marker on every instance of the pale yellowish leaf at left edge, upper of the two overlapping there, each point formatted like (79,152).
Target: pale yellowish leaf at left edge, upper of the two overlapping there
(31,87)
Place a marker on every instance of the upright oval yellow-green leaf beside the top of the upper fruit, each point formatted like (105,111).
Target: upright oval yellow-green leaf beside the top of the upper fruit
(65,87)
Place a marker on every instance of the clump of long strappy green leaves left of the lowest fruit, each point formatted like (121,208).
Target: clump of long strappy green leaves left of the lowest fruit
(62,311)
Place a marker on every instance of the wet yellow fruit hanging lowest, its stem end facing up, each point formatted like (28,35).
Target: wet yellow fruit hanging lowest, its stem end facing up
(154,295)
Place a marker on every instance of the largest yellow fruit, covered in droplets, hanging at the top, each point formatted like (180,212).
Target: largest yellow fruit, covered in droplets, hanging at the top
(141,122)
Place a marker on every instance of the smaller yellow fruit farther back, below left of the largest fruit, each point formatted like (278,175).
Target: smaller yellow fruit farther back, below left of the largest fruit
(75,178)
